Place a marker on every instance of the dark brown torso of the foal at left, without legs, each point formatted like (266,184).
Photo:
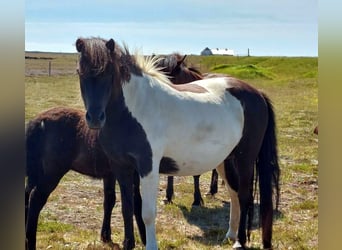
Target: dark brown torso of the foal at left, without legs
(59,140)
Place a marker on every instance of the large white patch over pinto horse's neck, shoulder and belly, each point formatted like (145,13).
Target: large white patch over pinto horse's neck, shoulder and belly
(186,124)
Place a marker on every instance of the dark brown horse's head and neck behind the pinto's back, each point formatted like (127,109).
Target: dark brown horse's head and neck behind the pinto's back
(174,66)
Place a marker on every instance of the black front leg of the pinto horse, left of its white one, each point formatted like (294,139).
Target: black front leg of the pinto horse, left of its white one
(126,178)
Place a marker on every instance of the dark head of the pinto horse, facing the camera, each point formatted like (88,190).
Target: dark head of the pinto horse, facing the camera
(102,70)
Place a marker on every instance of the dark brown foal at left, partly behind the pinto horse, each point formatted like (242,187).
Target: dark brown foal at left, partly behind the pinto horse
(59,140)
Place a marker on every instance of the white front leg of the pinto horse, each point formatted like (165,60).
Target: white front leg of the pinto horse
(149,191)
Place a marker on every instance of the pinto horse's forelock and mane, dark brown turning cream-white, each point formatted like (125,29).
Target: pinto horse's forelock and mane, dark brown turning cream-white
(96,58)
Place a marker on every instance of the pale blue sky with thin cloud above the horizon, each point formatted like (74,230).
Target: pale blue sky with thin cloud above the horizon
(266,27)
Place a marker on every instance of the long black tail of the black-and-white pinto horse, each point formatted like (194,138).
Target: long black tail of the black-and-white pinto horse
(268,171)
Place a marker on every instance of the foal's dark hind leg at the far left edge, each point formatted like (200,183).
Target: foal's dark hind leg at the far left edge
(36,201)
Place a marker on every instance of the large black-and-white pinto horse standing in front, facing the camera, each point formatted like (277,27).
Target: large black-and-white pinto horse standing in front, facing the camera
(135,106)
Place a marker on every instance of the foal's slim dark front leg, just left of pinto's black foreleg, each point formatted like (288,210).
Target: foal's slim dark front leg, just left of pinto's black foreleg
(108,205)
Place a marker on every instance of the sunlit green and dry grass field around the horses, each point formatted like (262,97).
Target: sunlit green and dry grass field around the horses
(72,217)
